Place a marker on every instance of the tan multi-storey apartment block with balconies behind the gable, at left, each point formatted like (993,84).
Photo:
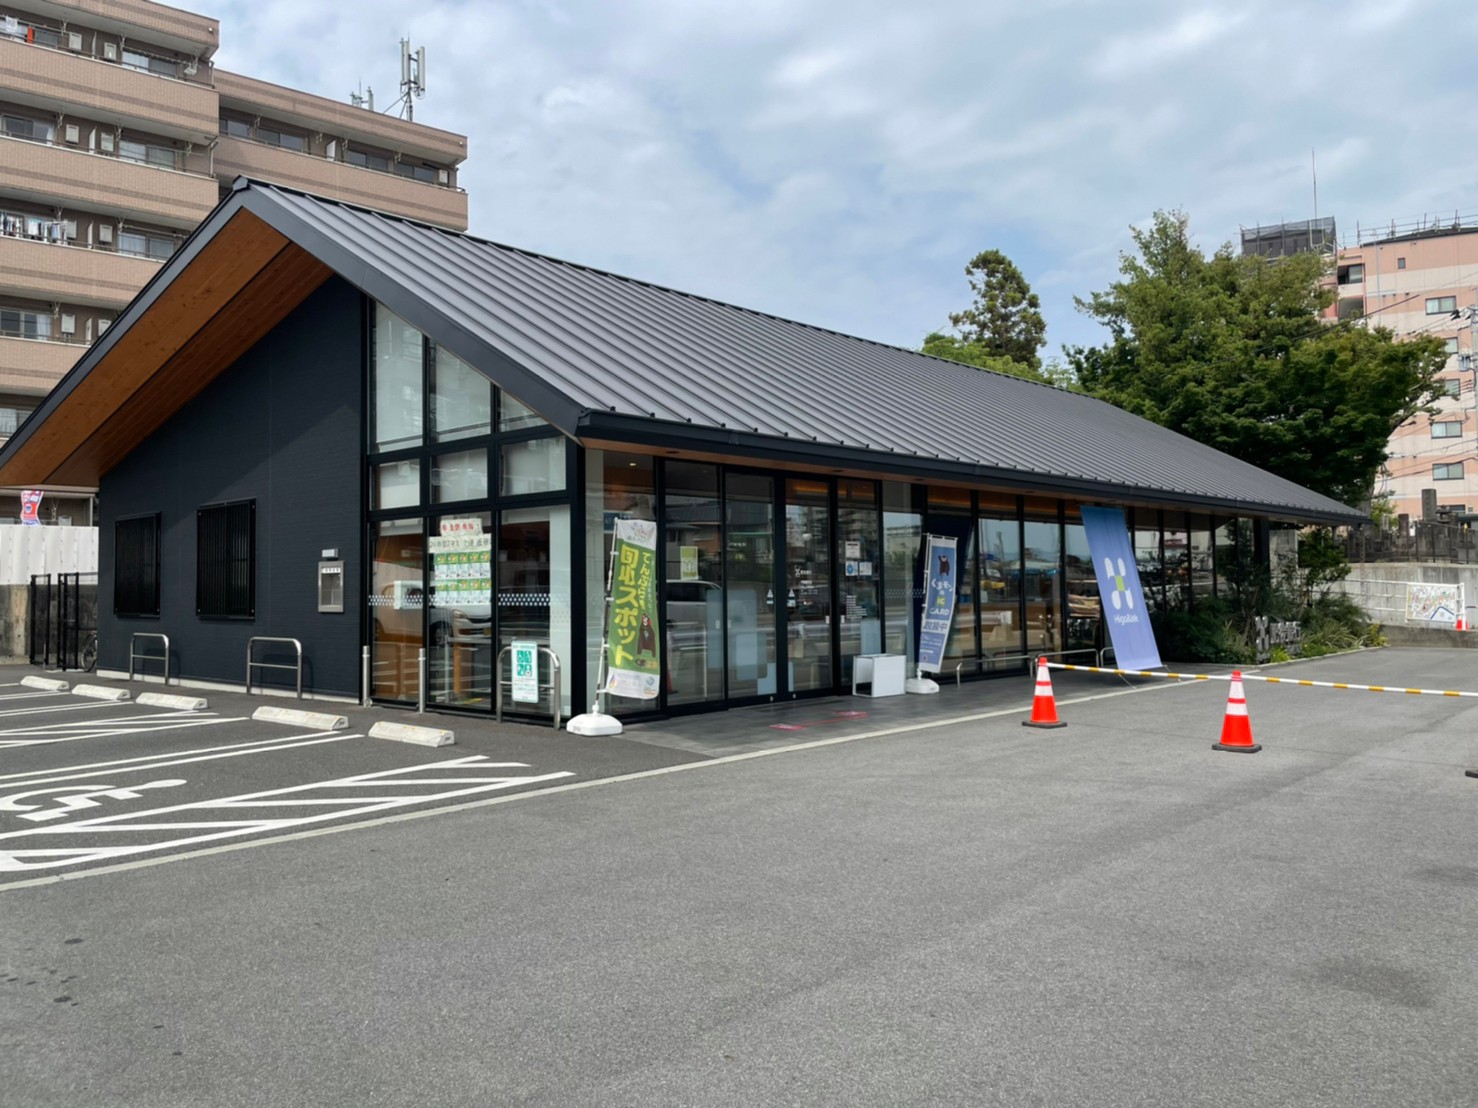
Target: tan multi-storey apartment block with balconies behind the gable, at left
(119,135)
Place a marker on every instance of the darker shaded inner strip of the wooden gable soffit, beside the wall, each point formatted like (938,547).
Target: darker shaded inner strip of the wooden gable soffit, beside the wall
(283,286)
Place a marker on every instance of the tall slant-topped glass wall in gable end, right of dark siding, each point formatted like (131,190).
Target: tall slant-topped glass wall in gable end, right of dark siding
(469,528)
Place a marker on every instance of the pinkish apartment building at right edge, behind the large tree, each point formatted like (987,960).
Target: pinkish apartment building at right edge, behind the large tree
(1421,278)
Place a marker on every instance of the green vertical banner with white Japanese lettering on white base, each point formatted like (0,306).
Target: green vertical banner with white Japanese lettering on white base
(633,658)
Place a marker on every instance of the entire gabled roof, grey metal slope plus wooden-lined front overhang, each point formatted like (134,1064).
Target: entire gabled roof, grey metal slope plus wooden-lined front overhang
(614,361)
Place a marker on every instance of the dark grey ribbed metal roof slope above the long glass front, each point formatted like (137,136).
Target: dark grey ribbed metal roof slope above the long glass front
(608,358)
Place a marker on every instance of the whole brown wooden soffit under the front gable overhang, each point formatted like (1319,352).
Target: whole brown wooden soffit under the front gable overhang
(236,290)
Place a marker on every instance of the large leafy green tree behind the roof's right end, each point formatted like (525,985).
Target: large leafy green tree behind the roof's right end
(1233,352)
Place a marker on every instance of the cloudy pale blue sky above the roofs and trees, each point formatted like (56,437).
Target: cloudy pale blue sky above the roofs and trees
(840,162)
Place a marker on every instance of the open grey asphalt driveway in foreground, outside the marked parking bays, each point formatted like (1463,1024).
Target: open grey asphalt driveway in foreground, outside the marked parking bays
(880,909)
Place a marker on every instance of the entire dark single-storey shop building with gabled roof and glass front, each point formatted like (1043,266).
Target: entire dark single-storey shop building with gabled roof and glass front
(316,403)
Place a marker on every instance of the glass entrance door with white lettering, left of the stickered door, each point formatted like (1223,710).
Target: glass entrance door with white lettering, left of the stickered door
(809,630)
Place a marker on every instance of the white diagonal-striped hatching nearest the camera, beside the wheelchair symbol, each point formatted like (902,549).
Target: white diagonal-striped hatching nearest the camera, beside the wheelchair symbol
(24,859)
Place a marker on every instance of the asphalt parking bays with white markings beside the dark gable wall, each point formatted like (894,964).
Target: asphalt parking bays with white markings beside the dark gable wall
(88,784)
